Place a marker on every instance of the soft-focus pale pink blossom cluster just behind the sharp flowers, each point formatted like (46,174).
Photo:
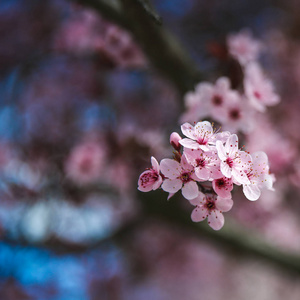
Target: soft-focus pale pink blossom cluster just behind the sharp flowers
(235,109)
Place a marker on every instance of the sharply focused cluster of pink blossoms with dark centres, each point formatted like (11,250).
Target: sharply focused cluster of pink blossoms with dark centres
(205,166)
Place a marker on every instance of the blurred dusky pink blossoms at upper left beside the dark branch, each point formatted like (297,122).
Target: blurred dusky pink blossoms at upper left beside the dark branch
(85,34)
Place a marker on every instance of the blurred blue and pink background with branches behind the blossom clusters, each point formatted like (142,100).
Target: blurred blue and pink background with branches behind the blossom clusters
(85,102)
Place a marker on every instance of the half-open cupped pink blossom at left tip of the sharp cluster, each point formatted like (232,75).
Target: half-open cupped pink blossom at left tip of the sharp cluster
(150,179)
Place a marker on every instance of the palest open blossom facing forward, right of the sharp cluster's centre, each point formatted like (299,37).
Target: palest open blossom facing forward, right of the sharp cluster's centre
(233,161)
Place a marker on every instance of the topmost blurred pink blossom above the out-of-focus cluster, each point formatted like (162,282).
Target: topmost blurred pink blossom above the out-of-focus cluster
(243,47)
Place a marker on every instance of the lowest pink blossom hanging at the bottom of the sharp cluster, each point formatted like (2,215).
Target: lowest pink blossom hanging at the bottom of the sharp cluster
(211,206)
